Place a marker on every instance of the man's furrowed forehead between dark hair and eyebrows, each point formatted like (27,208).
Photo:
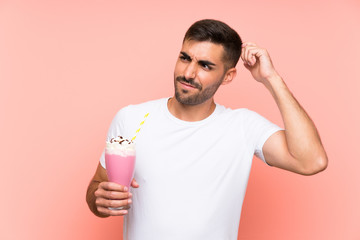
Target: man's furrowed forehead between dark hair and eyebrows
(203,50)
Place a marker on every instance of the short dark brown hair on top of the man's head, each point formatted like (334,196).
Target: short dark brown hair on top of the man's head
(219,33)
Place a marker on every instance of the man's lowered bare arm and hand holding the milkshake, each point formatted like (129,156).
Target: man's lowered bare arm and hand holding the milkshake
(102,194)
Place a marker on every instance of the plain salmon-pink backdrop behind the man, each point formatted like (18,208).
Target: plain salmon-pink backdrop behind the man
(66,67)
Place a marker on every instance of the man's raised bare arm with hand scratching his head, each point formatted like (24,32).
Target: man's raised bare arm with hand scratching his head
(298,148)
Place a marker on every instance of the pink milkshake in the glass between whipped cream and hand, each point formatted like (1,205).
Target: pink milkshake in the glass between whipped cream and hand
(120,168)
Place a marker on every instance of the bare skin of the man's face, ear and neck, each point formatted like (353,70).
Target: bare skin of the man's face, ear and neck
(201,63)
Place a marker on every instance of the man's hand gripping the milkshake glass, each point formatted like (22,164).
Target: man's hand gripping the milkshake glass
(110,196)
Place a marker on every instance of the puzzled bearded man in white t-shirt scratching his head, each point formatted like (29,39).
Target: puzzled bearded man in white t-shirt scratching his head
(194,156)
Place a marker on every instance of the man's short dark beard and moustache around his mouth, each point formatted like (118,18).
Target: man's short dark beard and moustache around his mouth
(203,94)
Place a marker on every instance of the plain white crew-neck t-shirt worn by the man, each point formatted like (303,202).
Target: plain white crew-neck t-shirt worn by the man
(192,175)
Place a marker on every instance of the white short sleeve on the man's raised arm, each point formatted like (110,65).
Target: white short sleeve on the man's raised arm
(258,130)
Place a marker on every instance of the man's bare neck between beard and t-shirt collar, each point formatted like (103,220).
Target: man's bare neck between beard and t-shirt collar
(191,113)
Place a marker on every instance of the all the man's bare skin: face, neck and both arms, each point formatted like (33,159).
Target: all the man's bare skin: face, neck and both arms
(199,71)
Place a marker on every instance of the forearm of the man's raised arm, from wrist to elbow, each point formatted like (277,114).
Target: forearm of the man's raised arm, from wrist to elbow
(302,137)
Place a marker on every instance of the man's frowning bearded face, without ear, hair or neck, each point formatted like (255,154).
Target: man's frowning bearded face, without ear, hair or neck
(199,71)
